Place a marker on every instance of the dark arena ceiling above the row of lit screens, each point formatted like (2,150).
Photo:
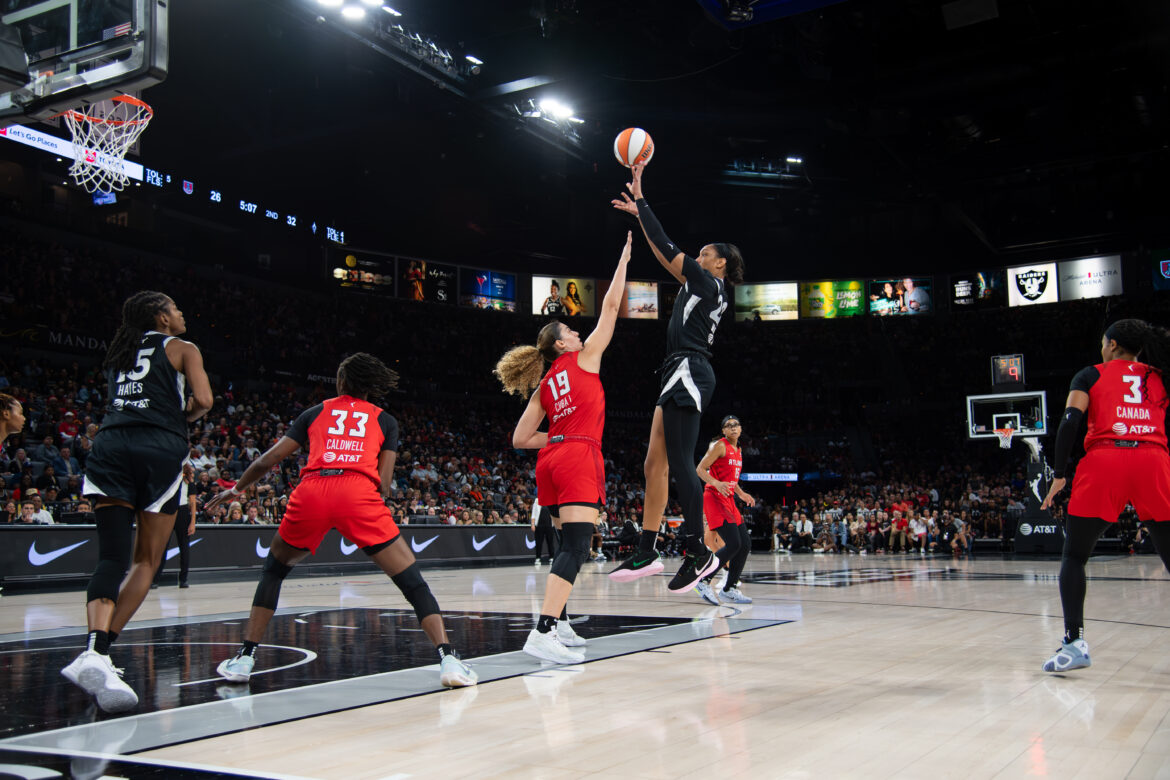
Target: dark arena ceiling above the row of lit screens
(938,135)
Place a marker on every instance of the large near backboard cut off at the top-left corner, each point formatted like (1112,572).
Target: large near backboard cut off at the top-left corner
(80,52)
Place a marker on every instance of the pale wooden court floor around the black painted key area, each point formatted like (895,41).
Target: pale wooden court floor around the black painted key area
(868,667)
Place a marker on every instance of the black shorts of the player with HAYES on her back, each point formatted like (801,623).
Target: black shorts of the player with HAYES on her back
(141,466)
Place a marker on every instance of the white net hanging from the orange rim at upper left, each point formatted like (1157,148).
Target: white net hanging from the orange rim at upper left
(101,137)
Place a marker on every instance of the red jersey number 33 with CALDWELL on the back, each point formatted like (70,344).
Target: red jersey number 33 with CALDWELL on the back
(346,433)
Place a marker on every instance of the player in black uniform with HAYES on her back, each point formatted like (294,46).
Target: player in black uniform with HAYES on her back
(134,475)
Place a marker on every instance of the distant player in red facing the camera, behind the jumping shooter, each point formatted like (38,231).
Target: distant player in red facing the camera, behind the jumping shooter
(720,472)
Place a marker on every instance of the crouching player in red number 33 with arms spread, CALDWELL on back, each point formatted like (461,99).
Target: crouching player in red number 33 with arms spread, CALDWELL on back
(353,446)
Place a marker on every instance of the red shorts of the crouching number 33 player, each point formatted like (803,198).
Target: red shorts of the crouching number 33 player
(349,502)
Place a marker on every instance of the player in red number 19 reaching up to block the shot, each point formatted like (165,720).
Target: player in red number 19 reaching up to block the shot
(570,473)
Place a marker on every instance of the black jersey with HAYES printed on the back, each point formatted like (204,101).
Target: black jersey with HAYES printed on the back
(152,394)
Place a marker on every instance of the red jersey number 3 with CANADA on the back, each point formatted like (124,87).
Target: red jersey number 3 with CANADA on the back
(1127,403)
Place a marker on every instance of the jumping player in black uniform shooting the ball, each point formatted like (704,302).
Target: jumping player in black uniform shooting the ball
(687,386)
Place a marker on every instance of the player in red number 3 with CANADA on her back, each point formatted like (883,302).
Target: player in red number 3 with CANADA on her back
(1126,461)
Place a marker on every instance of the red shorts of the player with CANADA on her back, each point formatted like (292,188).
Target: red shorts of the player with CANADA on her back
(1110,478)
